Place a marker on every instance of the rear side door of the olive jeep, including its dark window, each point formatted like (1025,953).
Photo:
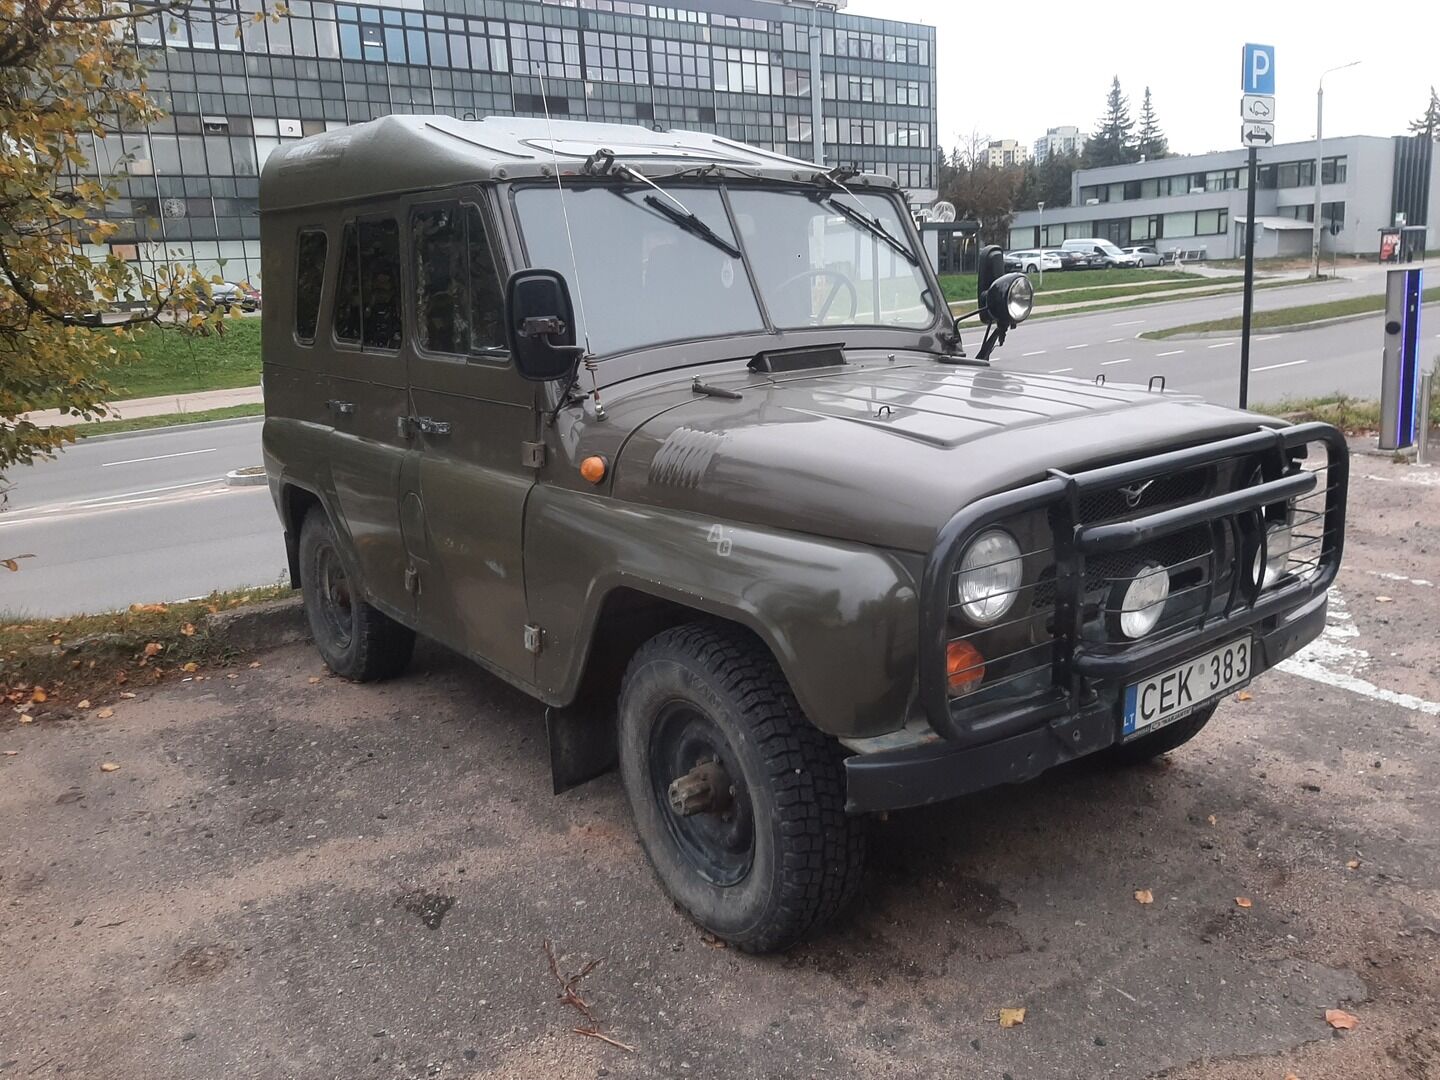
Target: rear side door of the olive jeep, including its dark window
(369,404)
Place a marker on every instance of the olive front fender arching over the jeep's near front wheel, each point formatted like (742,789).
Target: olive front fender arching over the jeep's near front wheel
(842,618)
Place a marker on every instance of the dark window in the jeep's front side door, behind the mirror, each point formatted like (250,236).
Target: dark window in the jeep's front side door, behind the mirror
(457,290)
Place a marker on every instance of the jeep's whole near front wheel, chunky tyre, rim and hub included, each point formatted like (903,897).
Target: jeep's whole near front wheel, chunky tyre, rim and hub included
(739,801)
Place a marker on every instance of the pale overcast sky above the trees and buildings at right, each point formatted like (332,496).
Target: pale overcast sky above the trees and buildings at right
(1013,70)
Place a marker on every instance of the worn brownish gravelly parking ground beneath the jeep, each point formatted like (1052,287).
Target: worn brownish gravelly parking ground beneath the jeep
(296,878)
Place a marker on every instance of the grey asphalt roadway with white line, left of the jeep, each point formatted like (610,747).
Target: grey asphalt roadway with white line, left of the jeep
(142,519)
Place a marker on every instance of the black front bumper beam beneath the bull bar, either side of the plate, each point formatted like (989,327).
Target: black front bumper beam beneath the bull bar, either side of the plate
(941,771)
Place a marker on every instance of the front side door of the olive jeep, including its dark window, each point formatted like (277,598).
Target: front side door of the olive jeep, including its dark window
(472,415)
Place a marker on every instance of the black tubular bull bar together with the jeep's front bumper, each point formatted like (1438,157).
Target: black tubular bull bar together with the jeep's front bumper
(1065,702)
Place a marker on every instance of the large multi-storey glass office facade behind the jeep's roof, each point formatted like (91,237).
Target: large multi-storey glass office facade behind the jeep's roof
(238,80)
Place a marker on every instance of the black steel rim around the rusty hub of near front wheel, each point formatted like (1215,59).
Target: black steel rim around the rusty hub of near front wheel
(719,846)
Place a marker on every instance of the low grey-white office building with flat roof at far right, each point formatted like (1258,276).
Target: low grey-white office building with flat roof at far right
(1199,204)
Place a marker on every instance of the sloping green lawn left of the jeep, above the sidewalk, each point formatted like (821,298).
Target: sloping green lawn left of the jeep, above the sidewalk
(175,362)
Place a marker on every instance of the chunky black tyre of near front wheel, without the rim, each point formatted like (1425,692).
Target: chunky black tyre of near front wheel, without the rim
(807,853)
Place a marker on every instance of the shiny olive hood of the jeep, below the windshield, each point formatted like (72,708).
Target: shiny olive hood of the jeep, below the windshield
(883,451)
